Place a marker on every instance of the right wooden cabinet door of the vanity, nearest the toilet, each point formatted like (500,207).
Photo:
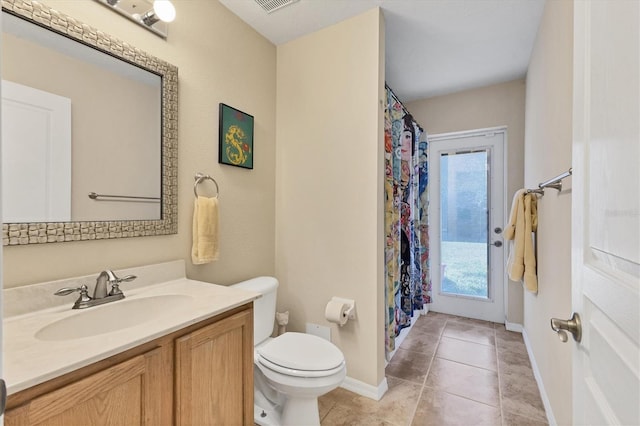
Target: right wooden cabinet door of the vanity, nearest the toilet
(214,373)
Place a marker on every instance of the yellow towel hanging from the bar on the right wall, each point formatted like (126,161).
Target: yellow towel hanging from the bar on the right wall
(523,223)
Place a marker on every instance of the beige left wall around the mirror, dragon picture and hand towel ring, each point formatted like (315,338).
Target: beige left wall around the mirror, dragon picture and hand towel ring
(220,59)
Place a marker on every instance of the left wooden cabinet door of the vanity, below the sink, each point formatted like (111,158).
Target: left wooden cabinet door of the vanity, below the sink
(119,395)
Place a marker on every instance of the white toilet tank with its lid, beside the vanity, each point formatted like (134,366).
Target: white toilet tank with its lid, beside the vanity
(264,308)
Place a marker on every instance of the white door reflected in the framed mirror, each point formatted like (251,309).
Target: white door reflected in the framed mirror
(36,134)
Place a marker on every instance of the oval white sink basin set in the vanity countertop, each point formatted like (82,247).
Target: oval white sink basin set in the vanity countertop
(113,317)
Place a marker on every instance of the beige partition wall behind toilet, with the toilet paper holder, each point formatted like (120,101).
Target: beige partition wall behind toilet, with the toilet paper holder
(329,184)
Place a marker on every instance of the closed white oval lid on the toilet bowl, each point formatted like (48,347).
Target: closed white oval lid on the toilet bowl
(300,351)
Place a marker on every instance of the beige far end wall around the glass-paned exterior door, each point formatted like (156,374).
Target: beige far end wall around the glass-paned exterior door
(491,106)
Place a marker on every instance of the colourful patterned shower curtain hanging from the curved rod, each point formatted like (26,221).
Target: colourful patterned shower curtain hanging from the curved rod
(407,281)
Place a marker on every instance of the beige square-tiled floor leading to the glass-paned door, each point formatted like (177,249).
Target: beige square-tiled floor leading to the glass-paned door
(448,371)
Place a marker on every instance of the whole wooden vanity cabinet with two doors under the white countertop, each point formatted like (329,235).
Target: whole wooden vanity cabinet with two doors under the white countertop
(201,375)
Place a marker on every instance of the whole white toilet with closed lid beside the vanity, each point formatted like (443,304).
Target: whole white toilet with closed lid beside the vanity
(290,371)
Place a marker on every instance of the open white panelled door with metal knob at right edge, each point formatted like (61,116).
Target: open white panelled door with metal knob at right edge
(606,212)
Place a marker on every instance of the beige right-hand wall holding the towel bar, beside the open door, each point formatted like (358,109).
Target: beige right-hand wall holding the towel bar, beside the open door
(548,153)
